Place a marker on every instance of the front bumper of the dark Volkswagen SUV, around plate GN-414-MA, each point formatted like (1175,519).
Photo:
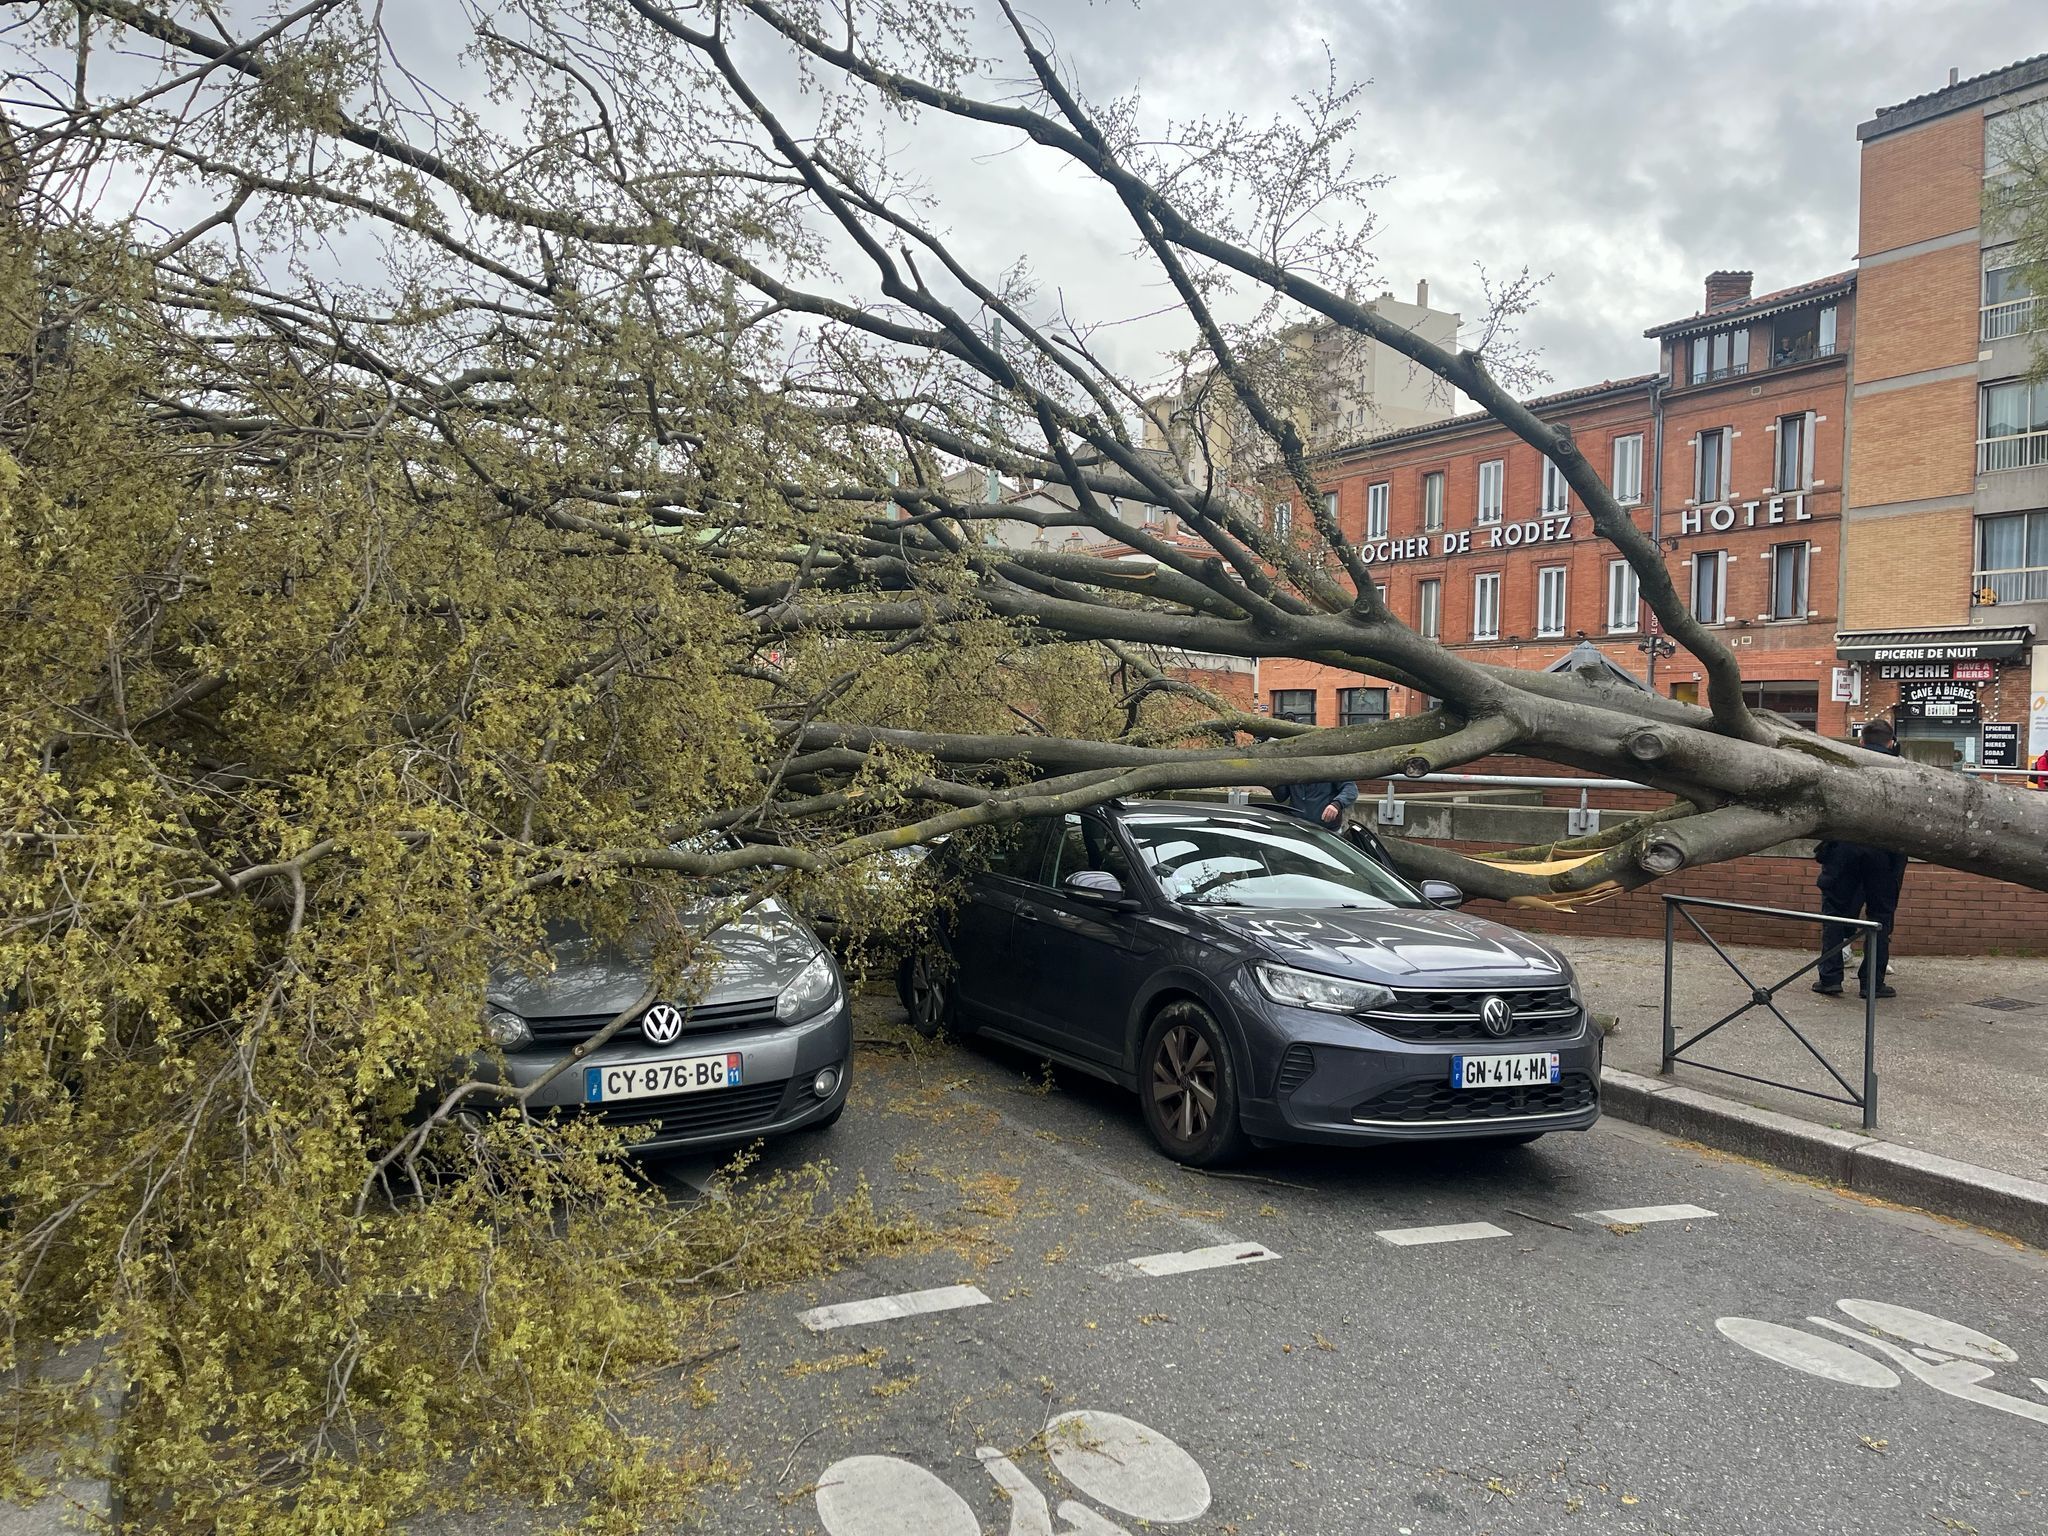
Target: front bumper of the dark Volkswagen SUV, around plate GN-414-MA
(1332,1080)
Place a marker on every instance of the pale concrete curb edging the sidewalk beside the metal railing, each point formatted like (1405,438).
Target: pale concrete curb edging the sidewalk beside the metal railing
(1865,1164)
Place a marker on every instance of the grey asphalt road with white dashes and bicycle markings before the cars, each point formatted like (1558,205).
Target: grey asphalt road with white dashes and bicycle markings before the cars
(1539,1367)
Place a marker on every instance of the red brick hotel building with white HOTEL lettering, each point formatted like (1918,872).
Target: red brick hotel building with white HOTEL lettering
(1734,458)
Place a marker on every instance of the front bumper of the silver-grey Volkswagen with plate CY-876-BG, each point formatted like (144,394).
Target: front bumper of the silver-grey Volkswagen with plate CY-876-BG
(775,1093)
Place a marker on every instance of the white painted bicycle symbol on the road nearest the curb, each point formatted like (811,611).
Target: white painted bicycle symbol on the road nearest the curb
(1945,1355)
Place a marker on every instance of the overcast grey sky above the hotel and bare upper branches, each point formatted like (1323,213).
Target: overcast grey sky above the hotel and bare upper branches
(1623,148)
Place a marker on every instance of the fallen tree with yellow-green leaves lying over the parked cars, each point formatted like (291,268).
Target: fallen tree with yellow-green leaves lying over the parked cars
(450,476)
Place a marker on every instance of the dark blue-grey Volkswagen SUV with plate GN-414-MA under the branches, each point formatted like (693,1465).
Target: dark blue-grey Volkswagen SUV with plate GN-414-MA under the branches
(1254,978)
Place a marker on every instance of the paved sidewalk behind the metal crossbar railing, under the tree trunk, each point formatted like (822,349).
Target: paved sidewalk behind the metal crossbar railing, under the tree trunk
(1955,1078)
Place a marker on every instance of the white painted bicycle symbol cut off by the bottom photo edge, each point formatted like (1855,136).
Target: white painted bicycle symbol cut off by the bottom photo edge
(1115,1461)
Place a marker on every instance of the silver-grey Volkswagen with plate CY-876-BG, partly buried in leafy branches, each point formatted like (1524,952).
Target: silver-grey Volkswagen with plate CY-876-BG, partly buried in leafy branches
(765,1050)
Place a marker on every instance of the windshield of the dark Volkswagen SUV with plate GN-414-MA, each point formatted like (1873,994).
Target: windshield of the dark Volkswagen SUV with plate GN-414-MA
(1230,863)
